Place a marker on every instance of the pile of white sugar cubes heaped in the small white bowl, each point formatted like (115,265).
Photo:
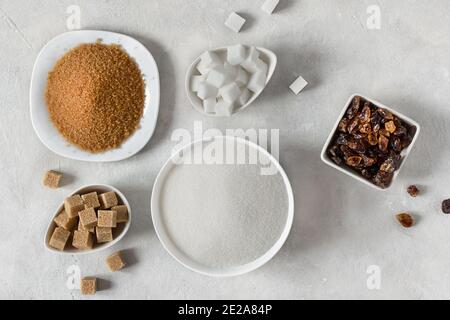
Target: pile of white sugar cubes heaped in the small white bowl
(226,82)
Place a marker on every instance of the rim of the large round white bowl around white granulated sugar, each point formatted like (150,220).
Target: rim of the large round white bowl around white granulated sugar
(190,263)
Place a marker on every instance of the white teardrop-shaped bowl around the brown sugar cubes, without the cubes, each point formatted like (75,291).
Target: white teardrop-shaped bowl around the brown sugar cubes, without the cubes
(121,230)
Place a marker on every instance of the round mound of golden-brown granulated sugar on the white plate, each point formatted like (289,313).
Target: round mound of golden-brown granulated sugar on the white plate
(95,96)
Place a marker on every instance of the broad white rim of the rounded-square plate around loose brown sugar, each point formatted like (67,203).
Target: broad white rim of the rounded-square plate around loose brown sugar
(151,107)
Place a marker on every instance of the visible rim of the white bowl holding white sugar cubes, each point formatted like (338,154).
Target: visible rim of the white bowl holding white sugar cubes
(266,55)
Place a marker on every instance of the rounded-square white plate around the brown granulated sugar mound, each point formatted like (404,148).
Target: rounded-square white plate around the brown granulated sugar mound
(40,118)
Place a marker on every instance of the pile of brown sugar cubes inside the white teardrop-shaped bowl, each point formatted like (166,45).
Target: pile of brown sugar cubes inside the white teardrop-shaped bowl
(88,220)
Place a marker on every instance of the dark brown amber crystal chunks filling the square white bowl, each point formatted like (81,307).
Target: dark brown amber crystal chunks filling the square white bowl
(369,140)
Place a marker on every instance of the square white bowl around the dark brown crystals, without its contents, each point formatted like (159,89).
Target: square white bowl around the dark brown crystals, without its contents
(405,153)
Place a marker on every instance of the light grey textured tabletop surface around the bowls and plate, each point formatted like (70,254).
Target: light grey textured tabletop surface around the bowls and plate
(341,226)
